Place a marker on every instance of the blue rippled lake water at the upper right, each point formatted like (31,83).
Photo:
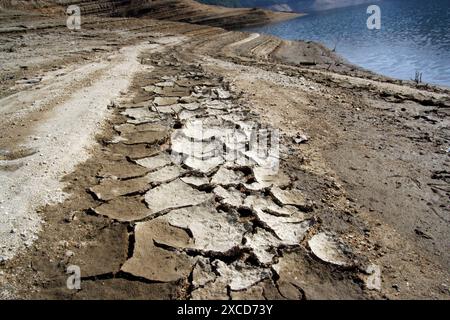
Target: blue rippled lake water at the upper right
(414,36)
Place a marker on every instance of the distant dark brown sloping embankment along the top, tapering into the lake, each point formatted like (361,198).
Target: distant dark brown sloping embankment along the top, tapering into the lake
(173,10)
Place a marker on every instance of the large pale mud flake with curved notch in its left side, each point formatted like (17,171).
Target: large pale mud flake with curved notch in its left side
(212,231)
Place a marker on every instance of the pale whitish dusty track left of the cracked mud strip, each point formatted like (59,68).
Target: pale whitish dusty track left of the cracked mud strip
(58,145)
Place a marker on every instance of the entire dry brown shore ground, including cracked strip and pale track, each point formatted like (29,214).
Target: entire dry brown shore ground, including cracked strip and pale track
(357,210)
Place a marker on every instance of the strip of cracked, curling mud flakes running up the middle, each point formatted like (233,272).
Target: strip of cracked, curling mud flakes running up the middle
(201,187)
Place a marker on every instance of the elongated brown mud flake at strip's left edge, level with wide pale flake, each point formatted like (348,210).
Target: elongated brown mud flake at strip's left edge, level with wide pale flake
(109,189)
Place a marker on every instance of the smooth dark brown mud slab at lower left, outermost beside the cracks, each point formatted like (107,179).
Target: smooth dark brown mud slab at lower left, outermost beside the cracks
(104,253)
